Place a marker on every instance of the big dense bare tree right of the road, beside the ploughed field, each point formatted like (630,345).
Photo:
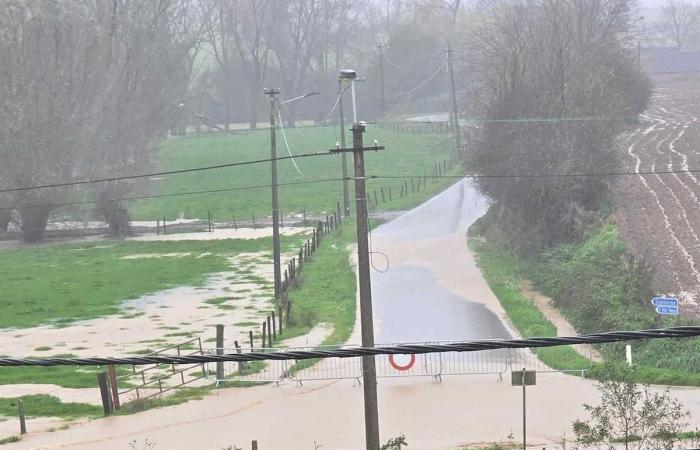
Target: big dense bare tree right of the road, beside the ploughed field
(542,66)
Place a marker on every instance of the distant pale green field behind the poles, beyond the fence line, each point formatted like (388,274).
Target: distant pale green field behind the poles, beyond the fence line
(405,155)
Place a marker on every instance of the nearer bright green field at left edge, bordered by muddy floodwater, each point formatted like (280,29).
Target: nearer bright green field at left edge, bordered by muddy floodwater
(65,283)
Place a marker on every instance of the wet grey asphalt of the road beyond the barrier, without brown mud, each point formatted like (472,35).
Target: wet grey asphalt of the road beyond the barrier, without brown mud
(410,304)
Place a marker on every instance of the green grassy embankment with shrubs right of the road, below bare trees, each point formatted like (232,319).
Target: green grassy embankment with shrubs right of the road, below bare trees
(598,287)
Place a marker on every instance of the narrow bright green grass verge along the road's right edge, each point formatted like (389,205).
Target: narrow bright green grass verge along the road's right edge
(503,272)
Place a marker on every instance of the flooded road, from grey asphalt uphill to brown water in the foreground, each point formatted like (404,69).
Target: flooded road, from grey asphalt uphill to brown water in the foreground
(432,289)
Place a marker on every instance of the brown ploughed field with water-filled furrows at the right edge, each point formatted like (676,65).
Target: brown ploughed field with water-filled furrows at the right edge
(659,214)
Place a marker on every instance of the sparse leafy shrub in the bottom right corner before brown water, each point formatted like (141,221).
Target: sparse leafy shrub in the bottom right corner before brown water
(631,414)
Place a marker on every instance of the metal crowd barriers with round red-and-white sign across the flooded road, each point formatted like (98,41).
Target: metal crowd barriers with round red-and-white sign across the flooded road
(435,365)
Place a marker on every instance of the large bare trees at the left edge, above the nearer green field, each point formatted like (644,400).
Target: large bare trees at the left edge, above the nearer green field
(86,86)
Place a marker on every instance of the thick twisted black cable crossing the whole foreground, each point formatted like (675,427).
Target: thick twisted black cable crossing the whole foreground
(351,352)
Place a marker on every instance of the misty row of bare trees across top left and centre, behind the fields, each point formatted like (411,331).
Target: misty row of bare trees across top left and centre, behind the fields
(90,87)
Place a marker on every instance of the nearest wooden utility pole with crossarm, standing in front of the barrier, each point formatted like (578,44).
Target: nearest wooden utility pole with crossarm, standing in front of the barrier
(369,371)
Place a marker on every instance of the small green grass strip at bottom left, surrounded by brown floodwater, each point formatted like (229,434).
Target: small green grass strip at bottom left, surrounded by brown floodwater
(43,405)
